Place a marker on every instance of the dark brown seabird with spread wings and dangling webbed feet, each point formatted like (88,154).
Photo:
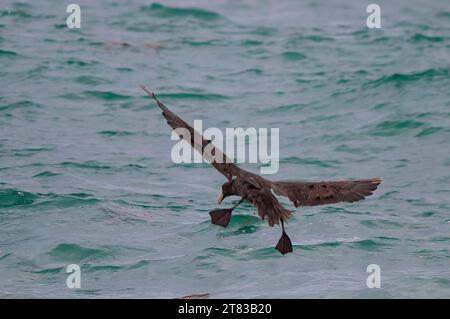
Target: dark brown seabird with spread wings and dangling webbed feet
(259,191)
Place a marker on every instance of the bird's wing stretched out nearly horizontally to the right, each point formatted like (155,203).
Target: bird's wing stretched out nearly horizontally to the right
(303,193)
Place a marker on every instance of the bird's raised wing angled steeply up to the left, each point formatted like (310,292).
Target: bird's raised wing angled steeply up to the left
(219,160)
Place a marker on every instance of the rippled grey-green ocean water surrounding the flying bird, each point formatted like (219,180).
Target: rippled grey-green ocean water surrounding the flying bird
(85,170)
